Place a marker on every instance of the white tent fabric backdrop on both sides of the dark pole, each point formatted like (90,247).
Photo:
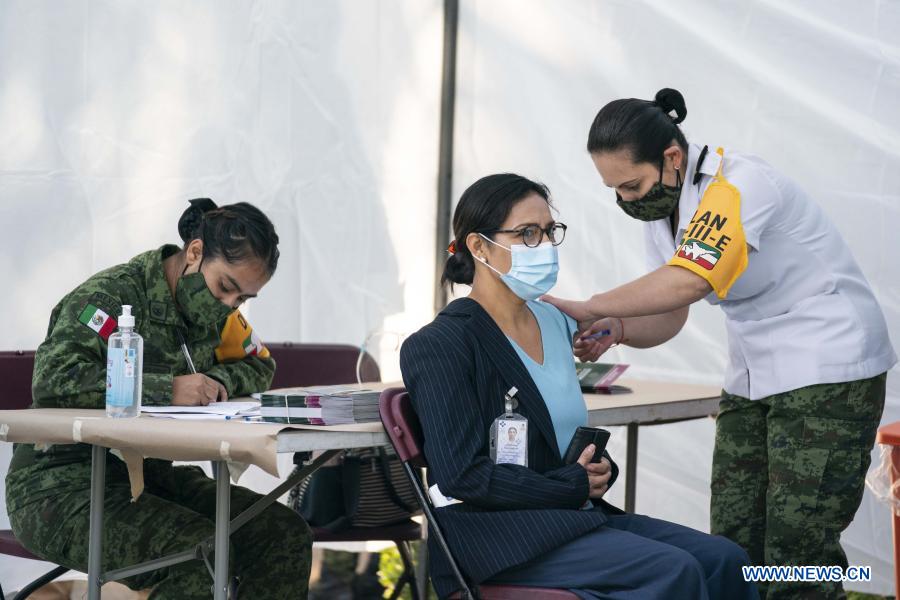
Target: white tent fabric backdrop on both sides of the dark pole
(325,114)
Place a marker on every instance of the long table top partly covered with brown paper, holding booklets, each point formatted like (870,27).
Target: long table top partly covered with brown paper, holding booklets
(258,444)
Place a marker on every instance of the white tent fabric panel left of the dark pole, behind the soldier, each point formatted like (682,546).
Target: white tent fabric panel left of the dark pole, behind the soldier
(323,114)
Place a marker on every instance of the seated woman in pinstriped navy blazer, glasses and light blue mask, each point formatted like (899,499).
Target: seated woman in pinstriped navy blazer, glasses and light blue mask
(546,524)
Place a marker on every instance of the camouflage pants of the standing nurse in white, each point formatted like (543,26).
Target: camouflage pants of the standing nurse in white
(789,473)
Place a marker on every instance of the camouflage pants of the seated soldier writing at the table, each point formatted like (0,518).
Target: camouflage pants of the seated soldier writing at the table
(270,555)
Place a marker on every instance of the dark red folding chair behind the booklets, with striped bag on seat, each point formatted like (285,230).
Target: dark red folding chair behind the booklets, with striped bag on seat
(333,364)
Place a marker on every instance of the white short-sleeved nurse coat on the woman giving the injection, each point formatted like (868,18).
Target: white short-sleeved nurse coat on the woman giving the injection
(801,313)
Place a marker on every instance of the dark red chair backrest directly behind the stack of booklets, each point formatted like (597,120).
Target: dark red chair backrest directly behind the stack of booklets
(320,364)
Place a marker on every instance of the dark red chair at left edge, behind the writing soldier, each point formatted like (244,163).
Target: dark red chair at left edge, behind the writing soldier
(15,394)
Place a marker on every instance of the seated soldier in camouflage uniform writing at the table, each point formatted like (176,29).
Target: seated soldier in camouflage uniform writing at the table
(190,294)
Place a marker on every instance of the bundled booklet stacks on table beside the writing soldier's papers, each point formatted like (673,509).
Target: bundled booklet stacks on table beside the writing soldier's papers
(322,405)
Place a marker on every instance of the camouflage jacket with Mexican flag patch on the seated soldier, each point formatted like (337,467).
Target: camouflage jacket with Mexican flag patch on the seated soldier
(70,364)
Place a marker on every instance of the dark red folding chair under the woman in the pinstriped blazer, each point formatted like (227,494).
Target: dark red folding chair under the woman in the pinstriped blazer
(403,428)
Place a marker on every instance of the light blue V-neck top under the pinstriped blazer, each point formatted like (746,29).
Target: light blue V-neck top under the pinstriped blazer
(556,379)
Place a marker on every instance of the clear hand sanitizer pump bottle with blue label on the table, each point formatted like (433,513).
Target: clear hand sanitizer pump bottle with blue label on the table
(124,368)
